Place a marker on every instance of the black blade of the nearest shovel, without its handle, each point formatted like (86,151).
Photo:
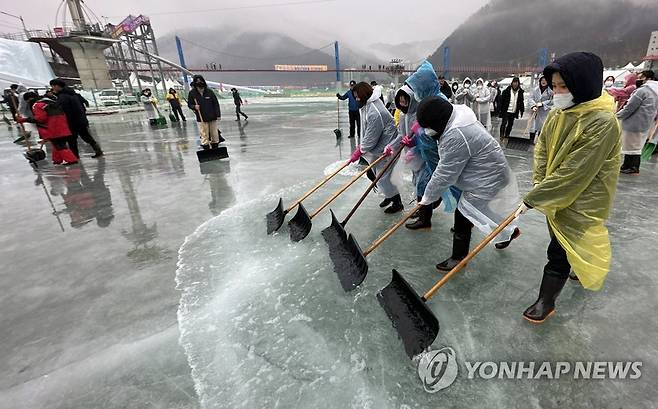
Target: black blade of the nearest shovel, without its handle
(415,323)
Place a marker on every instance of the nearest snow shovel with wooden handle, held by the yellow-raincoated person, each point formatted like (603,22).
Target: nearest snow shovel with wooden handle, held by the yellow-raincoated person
(411,317)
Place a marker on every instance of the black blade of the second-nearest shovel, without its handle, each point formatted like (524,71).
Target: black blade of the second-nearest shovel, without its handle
(349,264)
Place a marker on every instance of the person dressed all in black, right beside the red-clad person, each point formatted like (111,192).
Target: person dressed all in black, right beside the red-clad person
(76,117)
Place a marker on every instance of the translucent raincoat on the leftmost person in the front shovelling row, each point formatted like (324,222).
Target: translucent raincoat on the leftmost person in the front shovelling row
(378,130)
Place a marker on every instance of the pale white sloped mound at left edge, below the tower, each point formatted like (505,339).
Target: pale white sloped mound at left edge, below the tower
(23,63)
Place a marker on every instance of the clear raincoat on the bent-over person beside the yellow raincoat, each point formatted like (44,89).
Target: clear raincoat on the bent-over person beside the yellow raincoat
(473,161)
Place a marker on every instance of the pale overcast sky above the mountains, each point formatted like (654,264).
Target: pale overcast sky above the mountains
(312,22)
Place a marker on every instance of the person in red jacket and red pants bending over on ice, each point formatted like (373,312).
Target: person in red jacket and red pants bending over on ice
(51,122)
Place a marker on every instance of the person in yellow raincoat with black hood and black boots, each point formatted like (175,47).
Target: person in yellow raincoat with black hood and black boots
(576,167)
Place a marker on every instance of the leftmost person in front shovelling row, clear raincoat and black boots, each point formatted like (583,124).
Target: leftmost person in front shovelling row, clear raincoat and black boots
(379,130)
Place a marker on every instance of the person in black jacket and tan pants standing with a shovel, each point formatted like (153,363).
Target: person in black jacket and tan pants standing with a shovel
(205,105)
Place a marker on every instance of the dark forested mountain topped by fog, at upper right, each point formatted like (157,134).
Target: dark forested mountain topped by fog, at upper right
(513,31)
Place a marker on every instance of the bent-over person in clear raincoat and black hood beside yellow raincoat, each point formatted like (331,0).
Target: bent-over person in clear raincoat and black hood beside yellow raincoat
(473,162)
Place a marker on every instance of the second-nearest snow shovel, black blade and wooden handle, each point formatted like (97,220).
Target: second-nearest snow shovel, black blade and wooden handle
(350,262)
